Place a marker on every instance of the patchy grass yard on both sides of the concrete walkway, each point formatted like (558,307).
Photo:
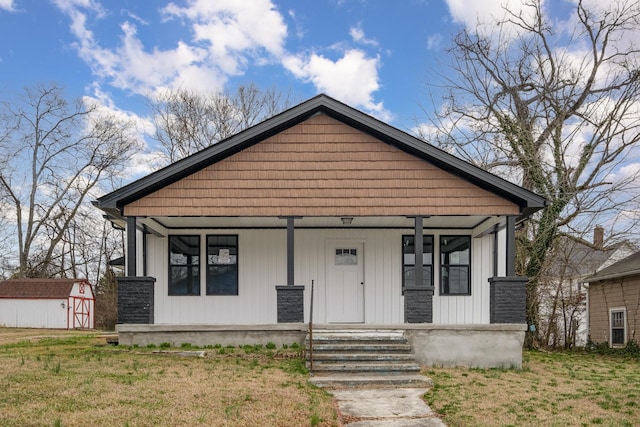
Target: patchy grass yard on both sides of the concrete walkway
(71,378)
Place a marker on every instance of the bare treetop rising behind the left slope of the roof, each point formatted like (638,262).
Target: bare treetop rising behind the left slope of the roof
(187,121)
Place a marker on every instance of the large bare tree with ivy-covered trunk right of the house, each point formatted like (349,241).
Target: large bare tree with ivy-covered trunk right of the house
(555,110)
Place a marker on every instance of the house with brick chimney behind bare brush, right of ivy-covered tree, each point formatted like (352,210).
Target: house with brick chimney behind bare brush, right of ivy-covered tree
(563,308)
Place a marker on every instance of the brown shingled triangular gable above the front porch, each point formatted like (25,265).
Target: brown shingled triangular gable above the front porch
(321,167)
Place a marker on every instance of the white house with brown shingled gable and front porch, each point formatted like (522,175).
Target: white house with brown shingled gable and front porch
(391,231)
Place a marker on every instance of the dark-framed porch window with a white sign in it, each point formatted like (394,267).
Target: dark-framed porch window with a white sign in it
(222,265)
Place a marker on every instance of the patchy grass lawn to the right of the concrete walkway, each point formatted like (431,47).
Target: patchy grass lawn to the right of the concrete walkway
(552,389)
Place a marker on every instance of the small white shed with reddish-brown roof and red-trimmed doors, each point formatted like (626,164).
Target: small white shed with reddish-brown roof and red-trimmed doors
(47,303)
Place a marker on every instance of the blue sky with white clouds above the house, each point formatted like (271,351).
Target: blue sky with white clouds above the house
(374,55)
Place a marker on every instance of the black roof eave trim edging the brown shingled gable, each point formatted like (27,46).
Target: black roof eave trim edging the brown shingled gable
(114,202)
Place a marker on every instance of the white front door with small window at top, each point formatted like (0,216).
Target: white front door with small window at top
(345,282)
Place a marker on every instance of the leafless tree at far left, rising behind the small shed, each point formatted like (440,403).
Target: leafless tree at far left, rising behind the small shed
(54,154)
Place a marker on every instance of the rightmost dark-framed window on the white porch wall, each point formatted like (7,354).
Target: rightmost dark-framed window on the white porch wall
(455,265)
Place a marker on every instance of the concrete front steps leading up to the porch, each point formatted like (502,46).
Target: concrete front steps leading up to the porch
(363,358)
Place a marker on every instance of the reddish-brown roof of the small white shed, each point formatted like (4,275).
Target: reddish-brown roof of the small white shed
(37,288)
